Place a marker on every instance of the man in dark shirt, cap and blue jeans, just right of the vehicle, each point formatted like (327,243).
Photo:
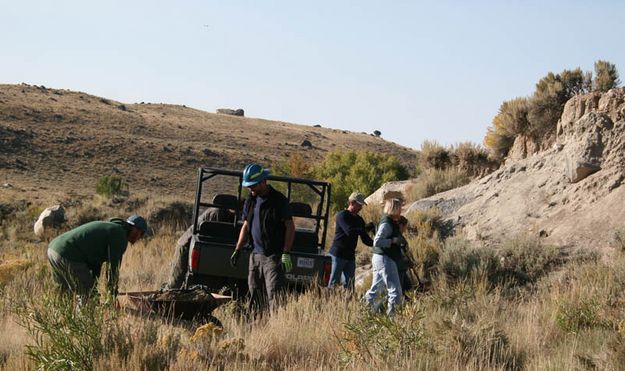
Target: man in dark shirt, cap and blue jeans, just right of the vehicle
(349,226)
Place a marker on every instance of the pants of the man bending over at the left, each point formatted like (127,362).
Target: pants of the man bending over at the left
(71,276)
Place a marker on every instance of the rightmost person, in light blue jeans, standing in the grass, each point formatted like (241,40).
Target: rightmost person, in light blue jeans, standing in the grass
(386,253)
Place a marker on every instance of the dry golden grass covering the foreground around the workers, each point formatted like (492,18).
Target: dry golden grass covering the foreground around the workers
(567,316)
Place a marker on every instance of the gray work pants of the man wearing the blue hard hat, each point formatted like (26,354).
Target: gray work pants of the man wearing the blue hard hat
(266,281)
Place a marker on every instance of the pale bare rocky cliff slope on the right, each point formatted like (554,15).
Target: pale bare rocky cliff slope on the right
(570,194)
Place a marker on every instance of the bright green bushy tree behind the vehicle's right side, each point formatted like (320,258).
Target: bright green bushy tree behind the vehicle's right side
(361,171)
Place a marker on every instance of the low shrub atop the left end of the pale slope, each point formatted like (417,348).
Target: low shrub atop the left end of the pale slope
(434,181)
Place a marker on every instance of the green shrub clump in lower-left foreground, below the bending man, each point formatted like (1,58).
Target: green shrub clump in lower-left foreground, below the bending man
(73,334)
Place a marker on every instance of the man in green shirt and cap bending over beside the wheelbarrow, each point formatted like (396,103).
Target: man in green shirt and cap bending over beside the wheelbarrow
(76,256)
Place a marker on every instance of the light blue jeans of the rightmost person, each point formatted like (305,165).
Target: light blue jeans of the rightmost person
(385,274)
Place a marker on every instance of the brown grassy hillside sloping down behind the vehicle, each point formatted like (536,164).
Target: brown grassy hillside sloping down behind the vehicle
(60,140)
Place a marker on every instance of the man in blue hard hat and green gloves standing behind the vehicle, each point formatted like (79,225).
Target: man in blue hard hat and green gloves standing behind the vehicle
(268,224)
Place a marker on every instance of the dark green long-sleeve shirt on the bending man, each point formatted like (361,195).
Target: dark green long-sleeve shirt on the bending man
(95,243)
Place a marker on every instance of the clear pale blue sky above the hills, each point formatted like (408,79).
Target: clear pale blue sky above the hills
(414,70)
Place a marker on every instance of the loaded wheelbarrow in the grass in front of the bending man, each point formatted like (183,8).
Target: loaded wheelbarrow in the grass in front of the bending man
(181,304)
